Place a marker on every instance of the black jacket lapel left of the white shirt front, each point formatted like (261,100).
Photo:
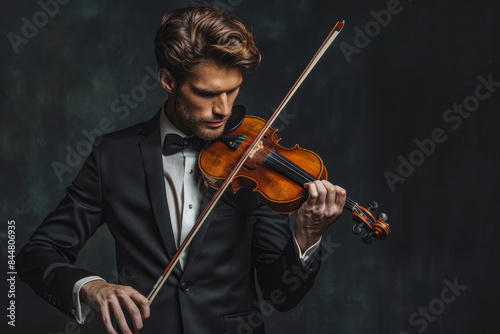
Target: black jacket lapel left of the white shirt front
(153,167)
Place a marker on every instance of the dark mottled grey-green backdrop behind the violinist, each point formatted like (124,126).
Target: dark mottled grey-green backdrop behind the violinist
(359,113)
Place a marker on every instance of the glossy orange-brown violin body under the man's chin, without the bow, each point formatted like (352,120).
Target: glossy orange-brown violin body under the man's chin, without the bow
(274,173)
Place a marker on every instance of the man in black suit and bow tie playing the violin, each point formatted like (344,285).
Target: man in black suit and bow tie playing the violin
(149,196)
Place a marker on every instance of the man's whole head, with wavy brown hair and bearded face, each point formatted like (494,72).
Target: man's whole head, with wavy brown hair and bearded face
(201,52)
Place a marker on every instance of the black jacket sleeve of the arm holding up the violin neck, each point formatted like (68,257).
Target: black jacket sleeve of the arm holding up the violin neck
(284,281)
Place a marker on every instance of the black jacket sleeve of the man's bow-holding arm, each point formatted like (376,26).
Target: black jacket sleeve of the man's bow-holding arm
(46,262)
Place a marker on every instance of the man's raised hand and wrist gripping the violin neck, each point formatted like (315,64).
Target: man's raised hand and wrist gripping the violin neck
(322,208)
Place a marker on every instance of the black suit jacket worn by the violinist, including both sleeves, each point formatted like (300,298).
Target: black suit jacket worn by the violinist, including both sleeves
(122,185)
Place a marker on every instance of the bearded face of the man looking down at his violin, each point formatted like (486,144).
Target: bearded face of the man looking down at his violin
(203,103)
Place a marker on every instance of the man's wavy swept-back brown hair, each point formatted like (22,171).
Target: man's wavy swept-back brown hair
(197,35)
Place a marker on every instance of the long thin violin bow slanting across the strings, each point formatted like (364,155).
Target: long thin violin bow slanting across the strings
(201,219)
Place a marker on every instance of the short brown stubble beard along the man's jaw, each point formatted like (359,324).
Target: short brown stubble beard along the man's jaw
(195,125)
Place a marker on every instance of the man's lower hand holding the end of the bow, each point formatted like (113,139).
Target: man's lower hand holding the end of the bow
(108,298)
